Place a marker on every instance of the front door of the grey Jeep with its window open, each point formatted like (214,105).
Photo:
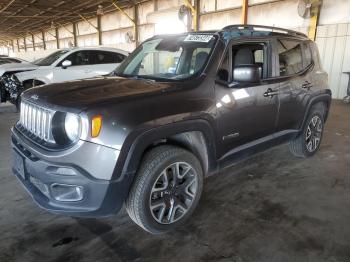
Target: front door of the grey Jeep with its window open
(246,111)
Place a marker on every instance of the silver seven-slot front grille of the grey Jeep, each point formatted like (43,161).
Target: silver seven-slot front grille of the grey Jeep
(36,120)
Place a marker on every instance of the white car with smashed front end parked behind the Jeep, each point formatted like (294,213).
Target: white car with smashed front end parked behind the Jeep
(62,65)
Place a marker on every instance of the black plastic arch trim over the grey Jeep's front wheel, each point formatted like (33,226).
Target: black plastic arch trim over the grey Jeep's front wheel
(197,136)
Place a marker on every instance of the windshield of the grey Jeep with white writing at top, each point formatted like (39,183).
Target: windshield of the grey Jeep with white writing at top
(169,57)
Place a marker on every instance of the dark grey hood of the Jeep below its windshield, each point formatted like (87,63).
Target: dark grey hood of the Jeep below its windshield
(79,94)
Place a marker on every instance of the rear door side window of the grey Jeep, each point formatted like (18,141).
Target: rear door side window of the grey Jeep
(290,57)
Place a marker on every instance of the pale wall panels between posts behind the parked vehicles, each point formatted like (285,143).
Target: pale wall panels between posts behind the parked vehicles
(161,16)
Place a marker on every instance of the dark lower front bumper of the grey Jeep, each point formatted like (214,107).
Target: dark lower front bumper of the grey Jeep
(41,177)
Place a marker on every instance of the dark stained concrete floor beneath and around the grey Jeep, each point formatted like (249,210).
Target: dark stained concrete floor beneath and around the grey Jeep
(272,207)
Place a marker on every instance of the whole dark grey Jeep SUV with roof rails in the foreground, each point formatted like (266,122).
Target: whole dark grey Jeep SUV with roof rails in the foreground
(178,109)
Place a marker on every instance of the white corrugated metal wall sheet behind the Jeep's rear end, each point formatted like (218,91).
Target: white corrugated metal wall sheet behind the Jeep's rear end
(333,42)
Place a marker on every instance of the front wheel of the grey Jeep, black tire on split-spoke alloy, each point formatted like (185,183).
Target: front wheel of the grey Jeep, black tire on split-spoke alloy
(139,201)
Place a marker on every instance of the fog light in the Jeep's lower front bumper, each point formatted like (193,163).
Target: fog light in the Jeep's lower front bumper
(67,193)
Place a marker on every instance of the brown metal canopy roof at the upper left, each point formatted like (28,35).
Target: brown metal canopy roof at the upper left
(20,18)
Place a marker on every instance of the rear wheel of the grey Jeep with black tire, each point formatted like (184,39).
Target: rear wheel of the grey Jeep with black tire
(300,146)
